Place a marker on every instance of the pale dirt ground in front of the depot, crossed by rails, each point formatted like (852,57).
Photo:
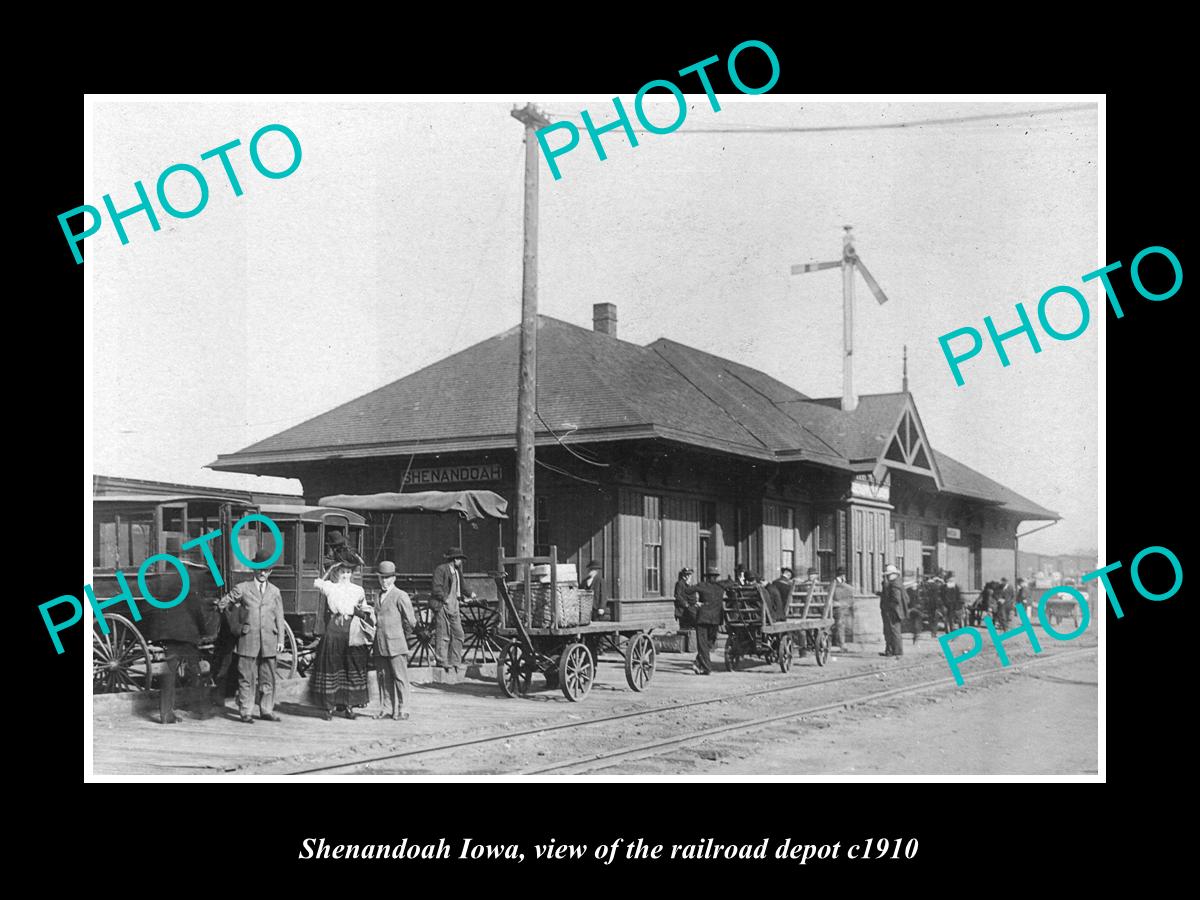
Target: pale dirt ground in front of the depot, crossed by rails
(1039,719)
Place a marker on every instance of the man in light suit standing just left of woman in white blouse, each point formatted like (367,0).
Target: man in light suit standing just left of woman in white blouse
(260,615)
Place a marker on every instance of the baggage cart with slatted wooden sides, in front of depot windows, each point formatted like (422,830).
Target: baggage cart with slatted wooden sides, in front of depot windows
(754,628)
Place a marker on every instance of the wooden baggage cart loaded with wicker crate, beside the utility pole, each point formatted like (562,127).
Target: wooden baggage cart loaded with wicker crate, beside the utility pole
(550,631)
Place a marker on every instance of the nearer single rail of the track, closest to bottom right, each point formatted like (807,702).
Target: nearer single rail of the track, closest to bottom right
(653,748)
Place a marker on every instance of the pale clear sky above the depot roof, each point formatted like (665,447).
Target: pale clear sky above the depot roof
(398,242)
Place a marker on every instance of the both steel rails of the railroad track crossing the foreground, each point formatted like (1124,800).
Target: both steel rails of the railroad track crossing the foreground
(649,748)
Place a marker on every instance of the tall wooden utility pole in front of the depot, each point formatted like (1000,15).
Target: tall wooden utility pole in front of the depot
(527,383)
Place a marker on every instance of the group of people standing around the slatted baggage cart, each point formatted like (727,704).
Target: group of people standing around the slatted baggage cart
(699,607)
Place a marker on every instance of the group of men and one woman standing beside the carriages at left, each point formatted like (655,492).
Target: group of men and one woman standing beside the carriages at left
(356,635)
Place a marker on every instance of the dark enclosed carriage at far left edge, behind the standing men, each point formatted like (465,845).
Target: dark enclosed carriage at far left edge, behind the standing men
(128,530)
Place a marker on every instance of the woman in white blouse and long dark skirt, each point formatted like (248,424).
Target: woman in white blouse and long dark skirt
(339,679)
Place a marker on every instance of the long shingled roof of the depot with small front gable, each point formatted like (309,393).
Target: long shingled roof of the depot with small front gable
(593,387)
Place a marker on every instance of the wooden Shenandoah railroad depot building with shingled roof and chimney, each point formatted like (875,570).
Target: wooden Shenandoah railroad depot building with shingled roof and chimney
(655,458)
